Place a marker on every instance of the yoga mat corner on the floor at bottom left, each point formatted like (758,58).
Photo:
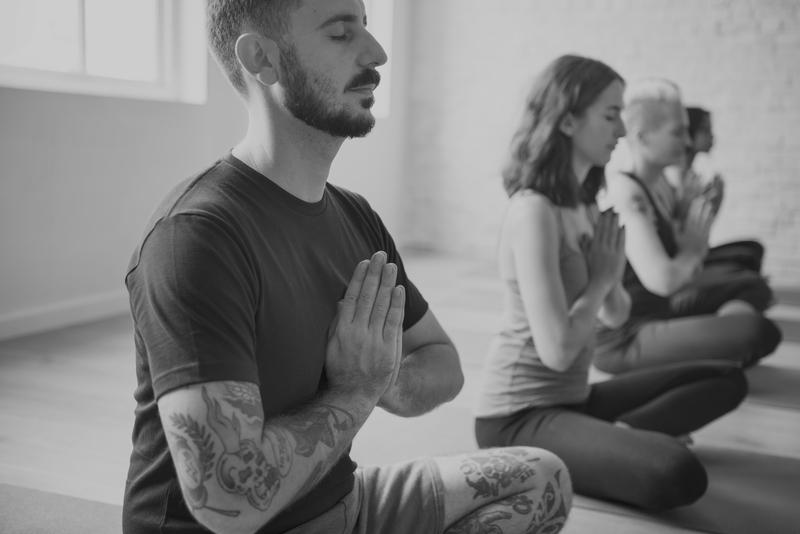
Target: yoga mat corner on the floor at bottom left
(27,511)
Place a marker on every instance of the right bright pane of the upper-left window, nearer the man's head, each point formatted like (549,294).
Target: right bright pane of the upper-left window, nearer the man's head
(122,39)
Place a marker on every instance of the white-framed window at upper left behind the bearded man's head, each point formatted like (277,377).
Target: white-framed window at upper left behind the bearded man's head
(153,49)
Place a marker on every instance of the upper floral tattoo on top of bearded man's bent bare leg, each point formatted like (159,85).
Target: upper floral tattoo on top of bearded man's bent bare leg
(488,473)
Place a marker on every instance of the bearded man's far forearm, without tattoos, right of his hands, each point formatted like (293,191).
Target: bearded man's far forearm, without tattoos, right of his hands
(428,377)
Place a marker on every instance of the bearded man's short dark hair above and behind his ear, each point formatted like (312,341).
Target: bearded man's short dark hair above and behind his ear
(228,19)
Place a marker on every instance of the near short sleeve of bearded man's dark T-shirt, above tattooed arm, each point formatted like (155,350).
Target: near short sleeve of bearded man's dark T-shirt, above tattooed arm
(193,301)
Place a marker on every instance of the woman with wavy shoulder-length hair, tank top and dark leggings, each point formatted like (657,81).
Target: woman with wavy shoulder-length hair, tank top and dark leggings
(561,263)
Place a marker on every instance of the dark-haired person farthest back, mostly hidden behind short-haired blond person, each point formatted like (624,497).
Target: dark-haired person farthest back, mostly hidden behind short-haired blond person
(691,181)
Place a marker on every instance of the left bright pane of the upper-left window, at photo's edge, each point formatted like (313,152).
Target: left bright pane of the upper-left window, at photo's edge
(40,34)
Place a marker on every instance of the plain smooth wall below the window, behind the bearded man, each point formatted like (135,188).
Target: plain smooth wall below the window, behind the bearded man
(80,175)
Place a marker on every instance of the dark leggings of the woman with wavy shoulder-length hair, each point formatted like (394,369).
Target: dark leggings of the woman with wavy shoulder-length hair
(644,465)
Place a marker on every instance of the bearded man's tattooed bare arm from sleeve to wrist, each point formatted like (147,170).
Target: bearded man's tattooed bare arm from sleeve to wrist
(239,469)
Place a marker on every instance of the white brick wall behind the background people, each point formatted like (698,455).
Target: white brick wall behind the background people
(472,62)
